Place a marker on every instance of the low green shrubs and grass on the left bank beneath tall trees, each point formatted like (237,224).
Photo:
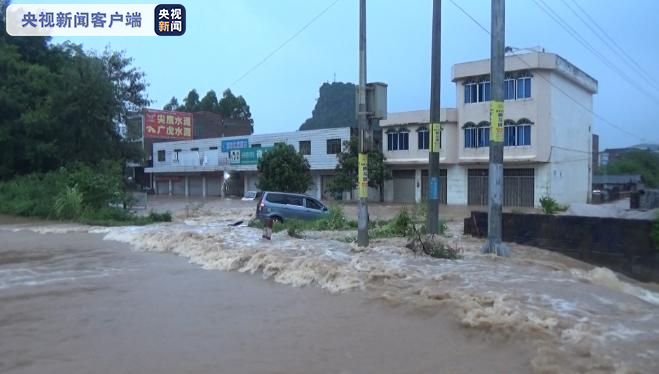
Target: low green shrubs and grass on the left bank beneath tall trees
(79,193)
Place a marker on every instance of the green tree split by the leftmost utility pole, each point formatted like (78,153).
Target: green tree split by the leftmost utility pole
(346,169)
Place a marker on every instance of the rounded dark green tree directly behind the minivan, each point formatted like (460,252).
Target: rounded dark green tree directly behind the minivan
(284,169)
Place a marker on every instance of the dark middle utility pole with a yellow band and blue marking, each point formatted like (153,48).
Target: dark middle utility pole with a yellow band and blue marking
(432,221)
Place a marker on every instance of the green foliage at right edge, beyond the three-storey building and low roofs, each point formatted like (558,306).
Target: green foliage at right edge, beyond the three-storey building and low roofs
(643,162)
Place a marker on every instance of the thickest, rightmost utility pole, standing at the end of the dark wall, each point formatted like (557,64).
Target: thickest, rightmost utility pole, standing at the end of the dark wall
(497,72)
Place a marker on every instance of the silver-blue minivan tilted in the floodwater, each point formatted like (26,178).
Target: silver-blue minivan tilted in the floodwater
(281,206)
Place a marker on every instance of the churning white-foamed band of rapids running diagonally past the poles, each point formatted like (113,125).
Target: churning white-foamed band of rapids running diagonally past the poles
(581,319)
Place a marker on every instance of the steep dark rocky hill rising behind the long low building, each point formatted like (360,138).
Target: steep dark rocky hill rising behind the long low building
(335,107)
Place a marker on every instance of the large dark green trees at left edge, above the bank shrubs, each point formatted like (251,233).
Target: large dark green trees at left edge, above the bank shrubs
(60,104)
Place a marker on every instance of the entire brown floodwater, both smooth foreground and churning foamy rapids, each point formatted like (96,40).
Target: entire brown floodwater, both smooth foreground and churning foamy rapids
(191,297)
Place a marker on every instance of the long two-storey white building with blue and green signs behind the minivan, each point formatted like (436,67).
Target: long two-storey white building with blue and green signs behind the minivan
(201,167)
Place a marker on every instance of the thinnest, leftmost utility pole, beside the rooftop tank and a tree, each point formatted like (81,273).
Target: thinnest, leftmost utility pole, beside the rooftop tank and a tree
(364,141)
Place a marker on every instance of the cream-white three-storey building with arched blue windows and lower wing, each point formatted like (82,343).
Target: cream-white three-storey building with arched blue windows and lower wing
(548,135)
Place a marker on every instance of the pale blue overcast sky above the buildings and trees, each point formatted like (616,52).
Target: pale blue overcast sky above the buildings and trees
(224,39)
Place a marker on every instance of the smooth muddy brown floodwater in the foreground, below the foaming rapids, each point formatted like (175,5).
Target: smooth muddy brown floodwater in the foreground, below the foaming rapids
(71,302)
